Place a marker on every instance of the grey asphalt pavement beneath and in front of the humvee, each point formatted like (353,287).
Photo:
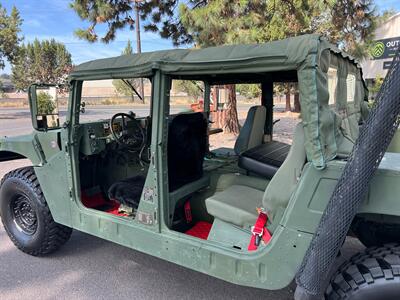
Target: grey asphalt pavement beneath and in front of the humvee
(90,268)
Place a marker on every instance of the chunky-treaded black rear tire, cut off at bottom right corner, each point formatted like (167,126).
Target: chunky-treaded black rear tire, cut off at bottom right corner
(371,275)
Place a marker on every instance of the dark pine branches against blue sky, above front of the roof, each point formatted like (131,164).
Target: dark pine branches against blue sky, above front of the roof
(160,16)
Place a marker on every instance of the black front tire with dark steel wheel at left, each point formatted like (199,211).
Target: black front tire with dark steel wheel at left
(26,216)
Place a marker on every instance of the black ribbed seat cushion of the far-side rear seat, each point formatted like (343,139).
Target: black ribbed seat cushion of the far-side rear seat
(265,159)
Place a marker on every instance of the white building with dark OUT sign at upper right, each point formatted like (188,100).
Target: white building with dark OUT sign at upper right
(387,43)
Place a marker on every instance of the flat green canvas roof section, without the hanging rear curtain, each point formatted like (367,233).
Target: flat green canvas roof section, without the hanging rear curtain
(285,54)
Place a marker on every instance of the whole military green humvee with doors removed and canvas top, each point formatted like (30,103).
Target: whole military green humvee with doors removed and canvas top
(246,215)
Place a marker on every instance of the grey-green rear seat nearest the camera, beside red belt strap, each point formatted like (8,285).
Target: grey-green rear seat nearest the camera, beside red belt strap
(237,204)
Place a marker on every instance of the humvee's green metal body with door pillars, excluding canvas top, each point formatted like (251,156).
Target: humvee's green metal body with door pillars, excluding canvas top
(55,157)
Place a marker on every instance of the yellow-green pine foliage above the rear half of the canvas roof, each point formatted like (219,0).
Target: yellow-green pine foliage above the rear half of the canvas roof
(262,21)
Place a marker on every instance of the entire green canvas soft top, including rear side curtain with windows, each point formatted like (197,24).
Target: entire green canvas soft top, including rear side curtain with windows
(310,55)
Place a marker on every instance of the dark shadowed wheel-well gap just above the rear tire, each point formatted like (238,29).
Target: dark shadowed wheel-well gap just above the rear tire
(372,233)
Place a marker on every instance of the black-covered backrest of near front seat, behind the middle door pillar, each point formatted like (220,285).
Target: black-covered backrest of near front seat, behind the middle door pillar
(187,146)
